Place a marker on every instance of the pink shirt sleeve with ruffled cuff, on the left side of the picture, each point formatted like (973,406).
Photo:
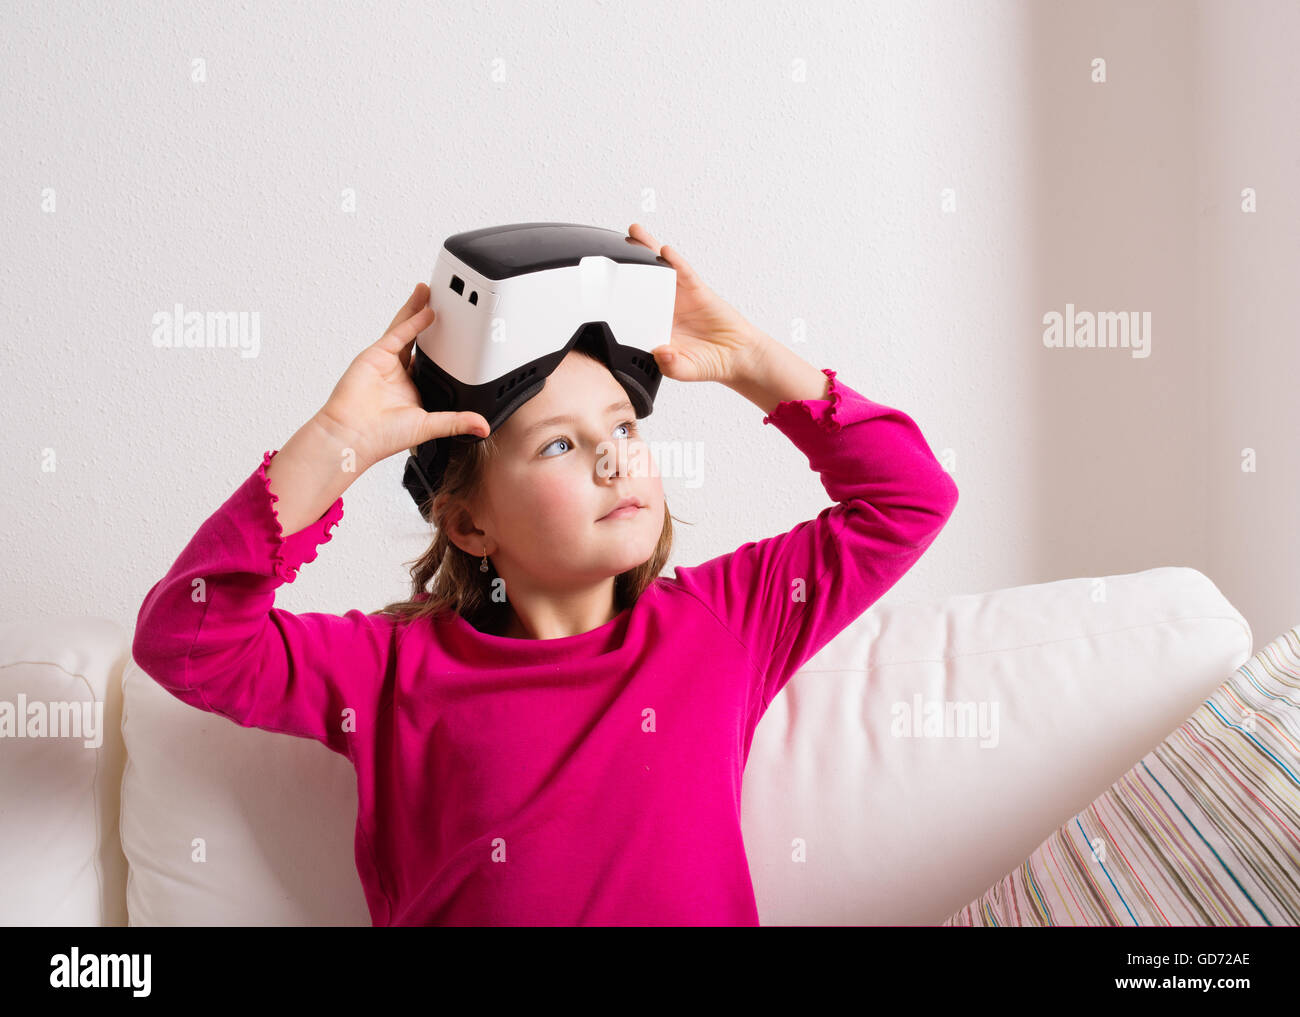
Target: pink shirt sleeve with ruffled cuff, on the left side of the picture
(210,634)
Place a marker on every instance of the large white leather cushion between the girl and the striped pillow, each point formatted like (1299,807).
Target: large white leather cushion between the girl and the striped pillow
(848,823)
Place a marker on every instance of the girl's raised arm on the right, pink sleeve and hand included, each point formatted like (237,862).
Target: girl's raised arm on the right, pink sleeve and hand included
(786,598)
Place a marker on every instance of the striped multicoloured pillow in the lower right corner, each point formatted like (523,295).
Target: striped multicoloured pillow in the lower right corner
(1204,830)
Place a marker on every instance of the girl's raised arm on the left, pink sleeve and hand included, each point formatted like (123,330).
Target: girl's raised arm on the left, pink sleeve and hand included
(210,633)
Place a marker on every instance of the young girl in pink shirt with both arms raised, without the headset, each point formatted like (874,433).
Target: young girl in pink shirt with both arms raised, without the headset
(560,739)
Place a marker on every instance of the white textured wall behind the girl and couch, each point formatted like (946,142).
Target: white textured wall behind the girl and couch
(816,201)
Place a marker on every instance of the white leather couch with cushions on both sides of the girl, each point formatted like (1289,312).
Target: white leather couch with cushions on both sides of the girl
(180,817)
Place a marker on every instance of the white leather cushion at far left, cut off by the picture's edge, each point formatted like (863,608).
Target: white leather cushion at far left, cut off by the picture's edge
(60,860)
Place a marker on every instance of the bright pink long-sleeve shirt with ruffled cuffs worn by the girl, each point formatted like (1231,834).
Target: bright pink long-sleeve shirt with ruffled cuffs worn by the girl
(593,780)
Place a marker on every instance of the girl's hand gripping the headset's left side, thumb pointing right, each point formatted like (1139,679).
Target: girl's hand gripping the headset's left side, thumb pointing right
(378,406)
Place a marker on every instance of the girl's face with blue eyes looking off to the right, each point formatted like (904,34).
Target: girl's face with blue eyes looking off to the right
(549,491)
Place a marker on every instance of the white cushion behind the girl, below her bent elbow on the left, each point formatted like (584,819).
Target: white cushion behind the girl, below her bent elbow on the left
(227,825)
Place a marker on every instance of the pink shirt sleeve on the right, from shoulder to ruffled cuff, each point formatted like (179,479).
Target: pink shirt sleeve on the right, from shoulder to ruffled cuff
(787,596)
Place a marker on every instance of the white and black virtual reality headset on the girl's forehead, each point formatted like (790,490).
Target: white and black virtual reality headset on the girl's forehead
(510,302)
